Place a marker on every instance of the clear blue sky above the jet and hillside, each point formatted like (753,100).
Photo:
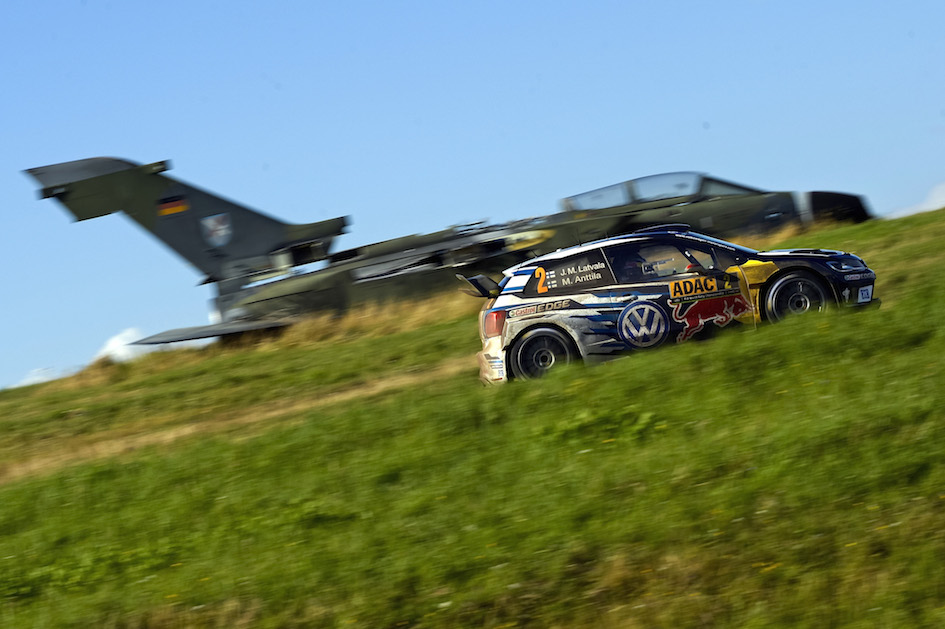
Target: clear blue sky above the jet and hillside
(411,116)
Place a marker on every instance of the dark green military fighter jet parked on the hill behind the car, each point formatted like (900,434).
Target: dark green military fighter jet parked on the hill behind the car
(255,260)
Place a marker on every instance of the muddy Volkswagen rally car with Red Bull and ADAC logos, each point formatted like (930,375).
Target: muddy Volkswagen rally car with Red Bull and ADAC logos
(639,291)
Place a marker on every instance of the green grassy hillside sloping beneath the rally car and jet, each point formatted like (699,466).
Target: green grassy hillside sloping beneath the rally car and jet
(355,474)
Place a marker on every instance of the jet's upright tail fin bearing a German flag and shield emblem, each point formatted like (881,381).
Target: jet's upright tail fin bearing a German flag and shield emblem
(223,239)
